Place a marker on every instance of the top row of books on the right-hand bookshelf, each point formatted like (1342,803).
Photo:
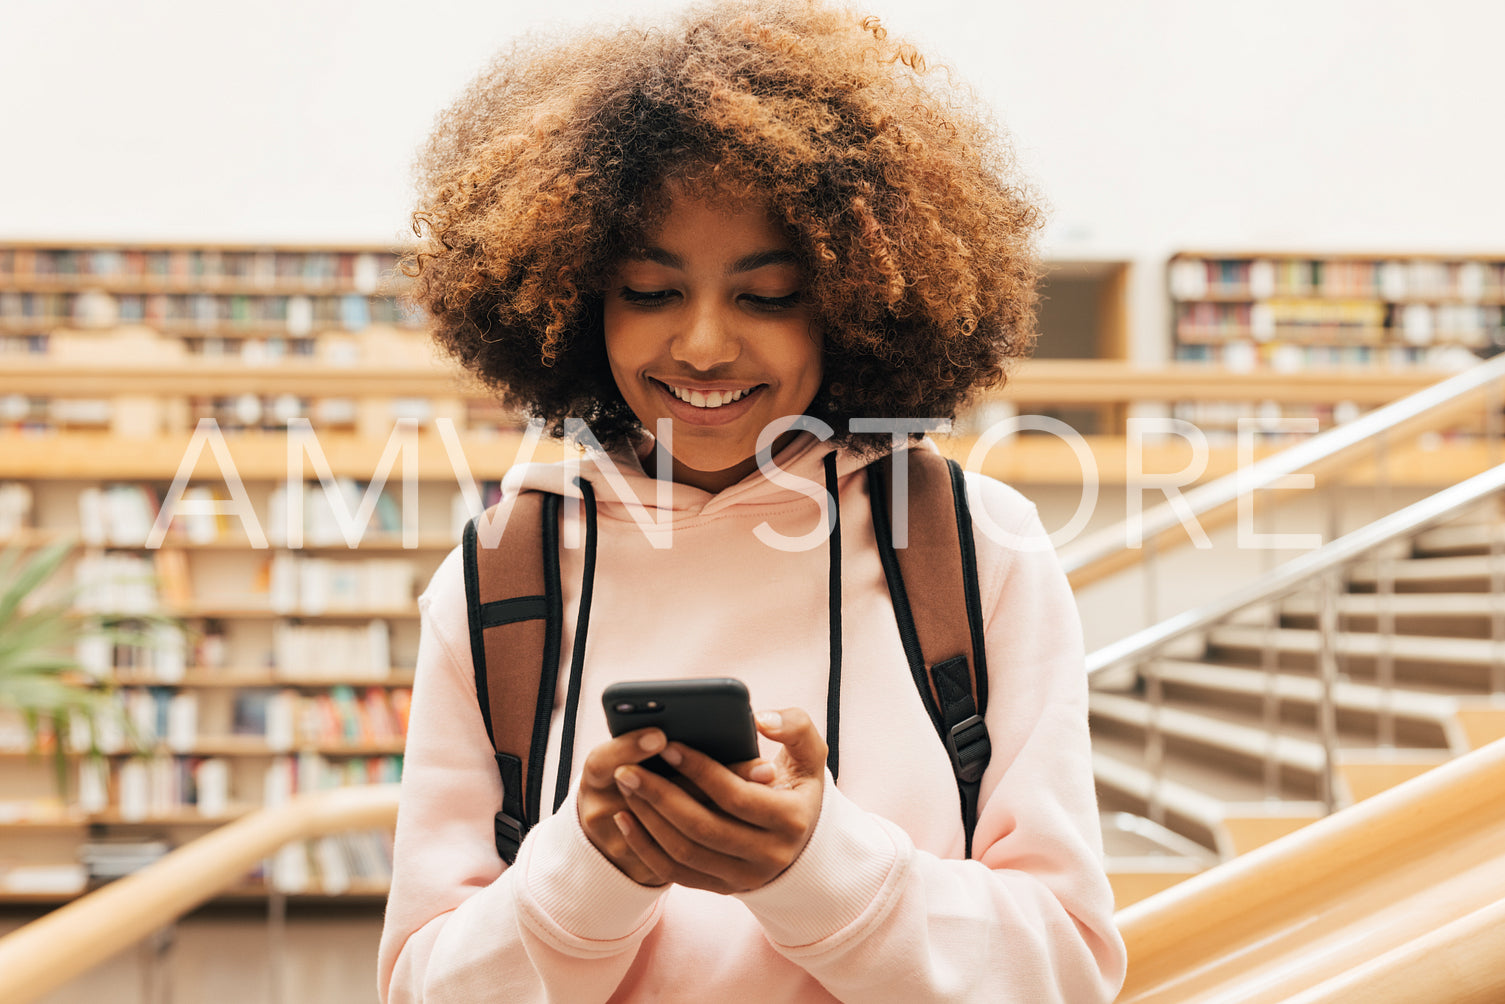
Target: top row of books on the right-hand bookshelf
(1376,279)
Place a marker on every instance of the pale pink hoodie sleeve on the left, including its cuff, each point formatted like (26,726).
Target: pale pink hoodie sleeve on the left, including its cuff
(562,923)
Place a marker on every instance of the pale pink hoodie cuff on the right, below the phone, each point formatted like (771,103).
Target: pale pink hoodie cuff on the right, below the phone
(836,878)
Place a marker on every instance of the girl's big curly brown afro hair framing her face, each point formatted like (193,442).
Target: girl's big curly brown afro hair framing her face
(899,195)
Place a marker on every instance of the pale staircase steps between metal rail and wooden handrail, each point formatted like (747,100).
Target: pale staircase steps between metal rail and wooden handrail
(1241,734)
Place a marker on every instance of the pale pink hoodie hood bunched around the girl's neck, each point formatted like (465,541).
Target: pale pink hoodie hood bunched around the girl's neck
(621,482)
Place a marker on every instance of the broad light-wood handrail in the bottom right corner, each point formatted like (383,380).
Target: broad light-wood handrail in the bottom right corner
(1348,901)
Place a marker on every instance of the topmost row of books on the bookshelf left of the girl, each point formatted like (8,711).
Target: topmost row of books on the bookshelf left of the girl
(359,270)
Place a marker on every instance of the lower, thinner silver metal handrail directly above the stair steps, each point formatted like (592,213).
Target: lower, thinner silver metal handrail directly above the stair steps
(1298,573)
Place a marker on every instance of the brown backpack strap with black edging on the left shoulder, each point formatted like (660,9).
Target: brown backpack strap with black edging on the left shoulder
(514,607)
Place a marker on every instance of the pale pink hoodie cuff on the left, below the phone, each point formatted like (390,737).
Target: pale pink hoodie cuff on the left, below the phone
(576,887)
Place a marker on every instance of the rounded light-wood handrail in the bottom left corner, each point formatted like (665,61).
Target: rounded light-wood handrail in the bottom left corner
(55,949)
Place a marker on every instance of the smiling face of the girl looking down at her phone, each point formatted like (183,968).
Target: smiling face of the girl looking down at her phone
(707,326)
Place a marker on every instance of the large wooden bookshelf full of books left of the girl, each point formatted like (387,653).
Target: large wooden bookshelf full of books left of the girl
(281,669)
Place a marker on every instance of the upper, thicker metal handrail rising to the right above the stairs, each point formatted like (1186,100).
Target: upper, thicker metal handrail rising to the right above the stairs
(1440,401)
